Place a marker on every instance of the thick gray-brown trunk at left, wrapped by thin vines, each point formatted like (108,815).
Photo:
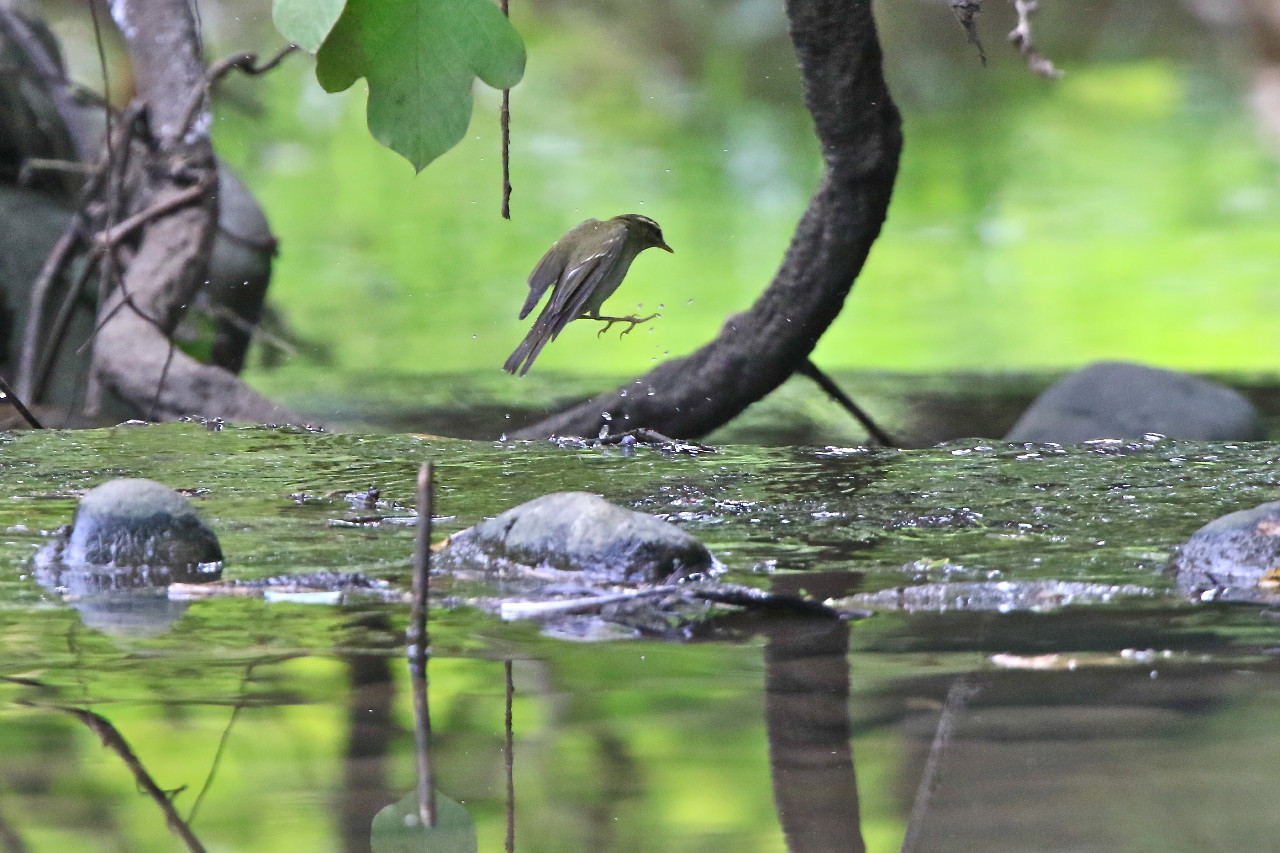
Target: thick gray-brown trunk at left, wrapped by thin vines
(134,354)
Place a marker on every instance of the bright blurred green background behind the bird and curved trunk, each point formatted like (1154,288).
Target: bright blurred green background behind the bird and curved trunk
(1126,212)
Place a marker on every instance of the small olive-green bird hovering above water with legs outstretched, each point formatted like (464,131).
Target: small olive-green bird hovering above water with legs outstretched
(583,270)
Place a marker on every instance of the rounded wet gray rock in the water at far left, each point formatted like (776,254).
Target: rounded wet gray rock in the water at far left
(139,524)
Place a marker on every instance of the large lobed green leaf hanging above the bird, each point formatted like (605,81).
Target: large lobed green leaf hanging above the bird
(420,58)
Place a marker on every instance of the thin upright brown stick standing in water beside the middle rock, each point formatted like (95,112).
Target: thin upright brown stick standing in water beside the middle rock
(419,642)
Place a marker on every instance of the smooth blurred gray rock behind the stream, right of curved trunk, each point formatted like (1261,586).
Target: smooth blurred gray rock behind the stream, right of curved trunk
(1117,400)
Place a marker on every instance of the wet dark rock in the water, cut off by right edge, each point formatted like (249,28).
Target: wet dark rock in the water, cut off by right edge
(1236,556)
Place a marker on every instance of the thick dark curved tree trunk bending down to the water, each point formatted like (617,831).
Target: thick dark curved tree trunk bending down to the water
(860,130)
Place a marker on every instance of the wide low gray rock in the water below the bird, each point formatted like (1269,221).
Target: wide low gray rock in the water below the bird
(580,533)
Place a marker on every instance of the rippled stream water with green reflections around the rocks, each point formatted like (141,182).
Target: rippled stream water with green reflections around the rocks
(1133,722)
